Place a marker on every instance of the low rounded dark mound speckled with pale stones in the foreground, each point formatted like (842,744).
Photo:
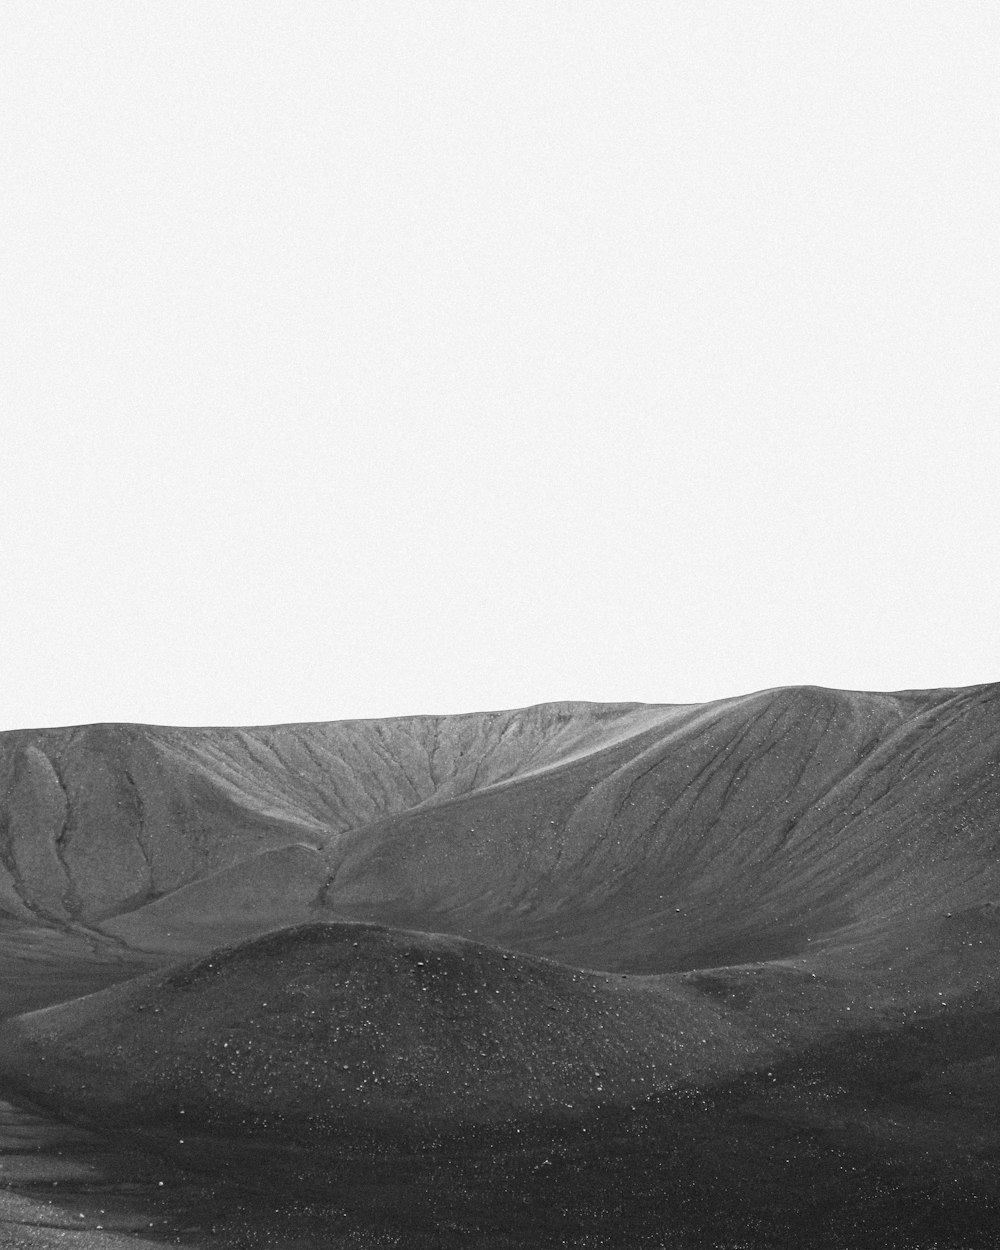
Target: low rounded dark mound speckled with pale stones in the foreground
(326,1032)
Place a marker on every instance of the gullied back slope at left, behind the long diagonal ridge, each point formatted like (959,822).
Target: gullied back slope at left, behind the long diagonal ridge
(98,819)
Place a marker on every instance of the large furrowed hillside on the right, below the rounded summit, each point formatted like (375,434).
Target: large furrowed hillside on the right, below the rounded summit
(762,828)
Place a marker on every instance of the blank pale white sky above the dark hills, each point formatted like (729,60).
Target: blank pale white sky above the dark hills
(368,361)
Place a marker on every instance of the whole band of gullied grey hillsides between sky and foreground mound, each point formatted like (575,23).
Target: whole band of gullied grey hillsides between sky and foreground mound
(623,838)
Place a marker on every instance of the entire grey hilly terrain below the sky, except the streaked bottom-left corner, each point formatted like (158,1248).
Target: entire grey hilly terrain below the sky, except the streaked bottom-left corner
(577,974)
